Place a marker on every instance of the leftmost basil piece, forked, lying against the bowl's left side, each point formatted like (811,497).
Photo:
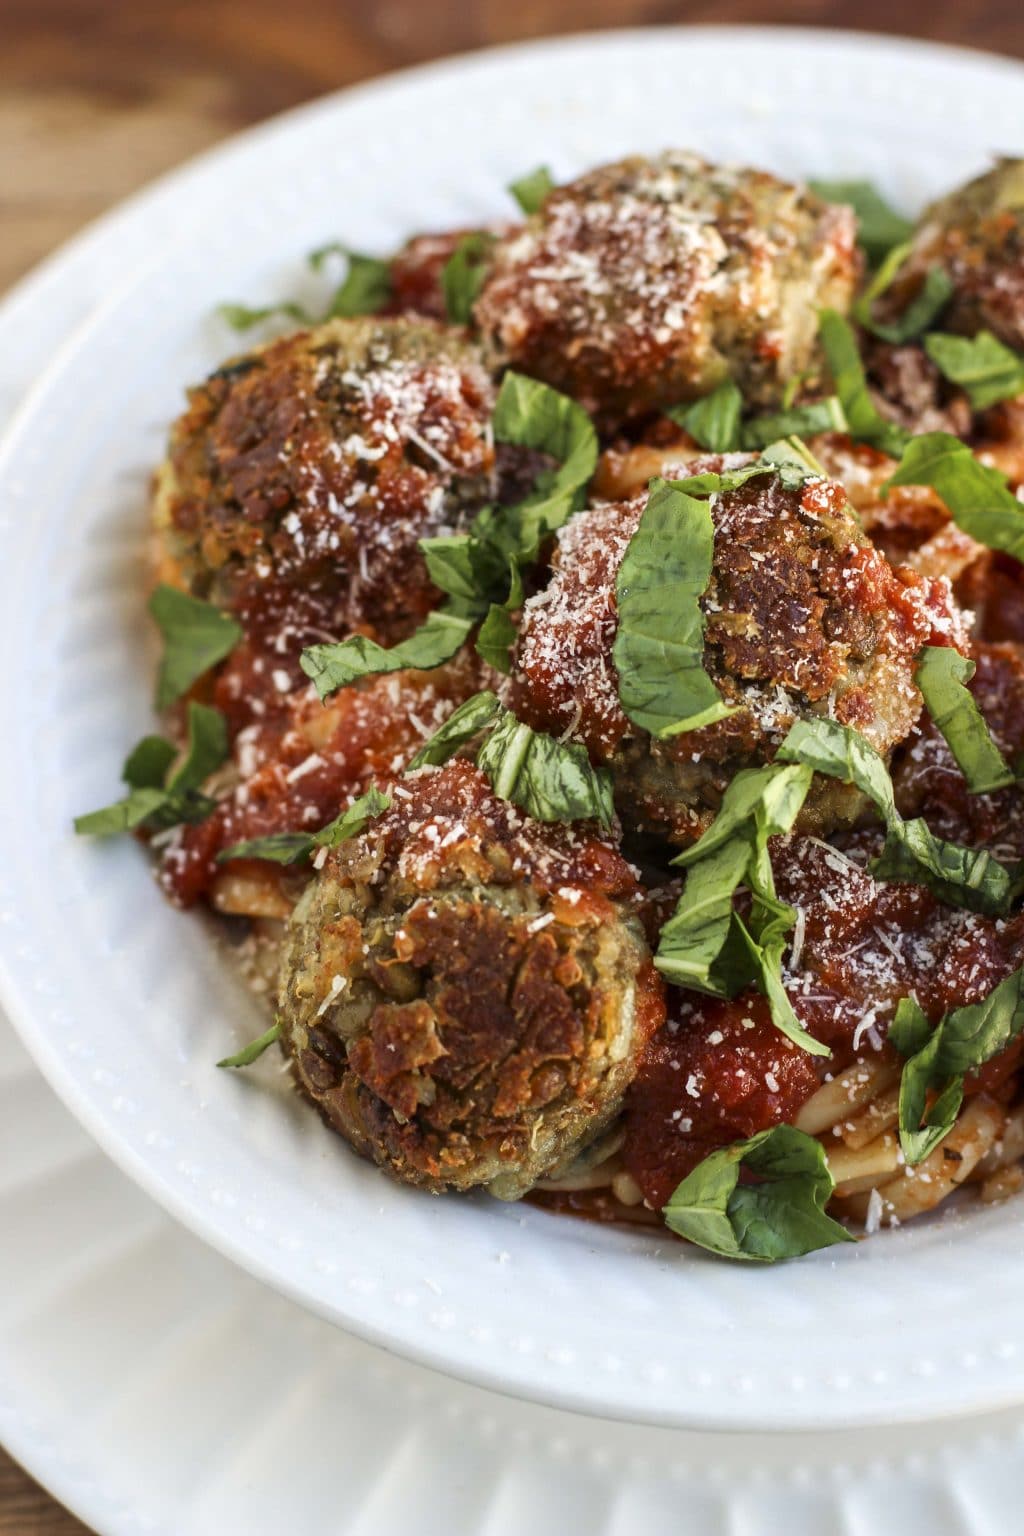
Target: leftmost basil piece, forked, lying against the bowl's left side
(160,798)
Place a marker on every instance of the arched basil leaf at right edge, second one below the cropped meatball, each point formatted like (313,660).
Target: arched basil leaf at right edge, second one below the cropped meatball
(979,498)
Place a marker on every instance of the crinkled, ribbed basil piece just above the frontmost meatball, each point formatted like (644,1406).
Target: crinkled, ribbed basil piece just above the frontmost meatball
(552,781)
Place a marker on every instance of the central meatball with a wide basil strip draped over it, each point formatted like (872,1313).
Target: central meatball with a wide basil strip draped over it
(804,617)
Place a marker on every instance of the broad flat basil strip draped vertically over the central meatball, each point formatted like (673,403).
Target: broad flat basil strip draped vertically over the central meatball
(661,638)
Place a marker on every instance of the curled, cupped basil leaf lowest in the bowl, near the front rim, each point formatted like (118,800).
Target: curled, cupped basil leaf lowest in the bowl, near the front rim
(782,1216)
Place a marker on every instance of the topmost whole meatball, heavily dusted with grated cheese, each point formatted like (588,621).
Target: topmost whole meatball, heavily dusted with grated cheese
(650,282)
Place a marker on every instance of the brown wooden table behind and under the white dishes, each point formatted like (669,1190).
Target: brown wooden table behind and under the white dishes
(101,96)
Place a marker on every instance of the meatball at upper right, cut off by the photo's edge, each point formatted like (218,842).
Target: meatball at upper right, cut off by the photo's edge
(977,237)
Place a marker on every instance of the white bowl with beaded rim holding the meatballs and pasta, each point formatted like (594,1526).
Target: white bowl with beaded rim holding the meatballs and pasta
(127,1005)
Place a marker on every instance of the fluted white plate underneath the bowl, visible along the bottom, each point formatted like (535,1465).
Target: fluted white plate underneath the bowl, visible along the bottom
(156,1389)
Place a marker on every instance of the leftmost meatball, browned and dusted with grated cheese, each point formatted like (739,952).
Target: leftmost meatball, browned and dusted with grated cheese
(303,475)
